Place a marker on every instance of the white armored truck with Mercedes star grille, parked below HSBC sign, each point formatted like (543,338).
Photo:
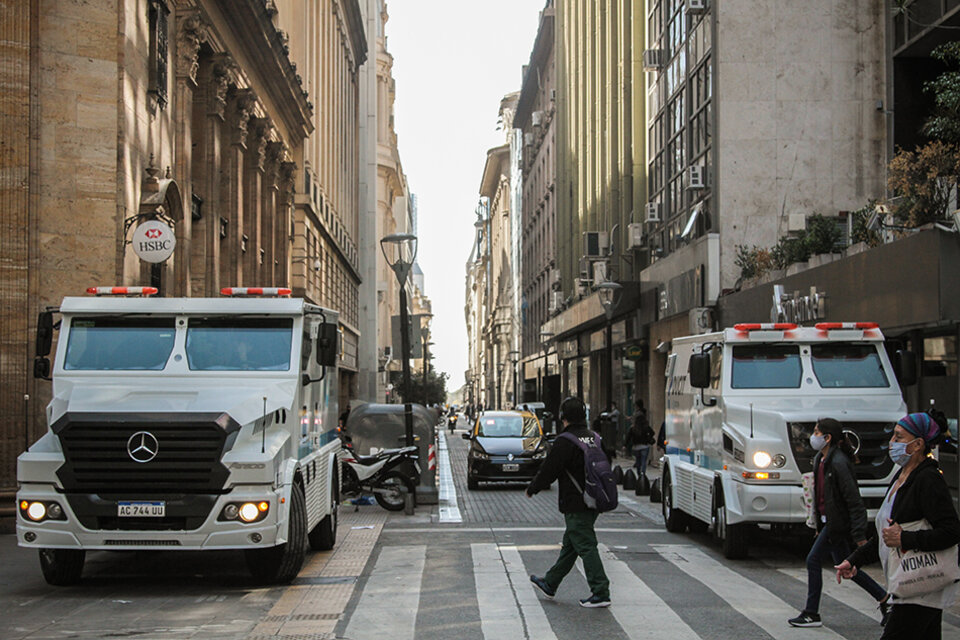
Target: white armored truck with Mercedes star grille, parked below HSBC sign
(184,423)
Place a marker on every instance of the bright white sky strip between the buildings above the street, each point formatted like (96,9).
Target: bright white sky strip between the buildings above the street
(453,62)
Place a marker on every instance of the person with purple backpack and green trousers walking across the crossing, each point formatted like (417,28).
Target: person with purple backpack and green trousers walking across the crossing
(565,464)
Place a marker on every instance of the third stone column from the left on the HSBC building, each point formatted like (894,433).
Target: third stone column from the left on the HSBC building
(240,103)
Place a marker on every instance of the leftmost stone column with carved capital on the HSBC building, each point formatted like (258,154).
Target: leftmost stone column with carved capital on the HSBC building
(190,32)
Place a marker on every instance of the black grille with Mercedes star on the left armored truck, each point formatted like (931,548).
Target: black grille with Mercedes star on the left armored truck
(187,460)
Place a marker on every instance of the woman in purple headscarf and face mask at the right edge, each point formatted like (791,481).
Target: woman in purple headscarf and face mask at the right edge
(918,492)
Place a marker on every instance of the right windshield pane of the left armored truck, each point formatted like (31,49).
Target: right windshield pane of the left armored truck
(239,344)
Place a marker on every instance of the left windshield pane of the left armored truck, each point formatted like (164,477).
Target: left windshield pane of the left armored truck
(119,343)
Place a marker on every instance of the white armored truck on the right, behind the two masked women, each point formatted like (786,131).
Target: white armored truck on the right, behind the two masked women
(741,405)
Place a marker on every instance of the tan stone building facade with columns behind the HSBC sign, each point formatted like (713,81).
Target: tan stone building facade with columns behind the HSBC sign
(190,112)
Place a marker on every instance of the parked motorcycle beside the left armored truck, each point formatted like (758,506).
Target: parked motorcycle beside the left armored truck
(388,474)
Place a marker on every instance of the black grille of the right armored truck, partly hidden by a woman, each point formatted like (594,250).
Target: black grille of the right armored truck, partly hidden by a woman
(874,463)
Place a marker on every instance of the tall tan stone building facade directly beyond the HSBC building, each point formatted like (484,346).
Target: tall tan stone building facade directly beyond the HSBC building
(328,42)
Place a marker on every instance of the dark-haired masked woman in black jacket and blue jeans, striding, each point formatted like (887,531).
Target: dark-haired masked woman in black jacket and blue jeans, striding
(840,515)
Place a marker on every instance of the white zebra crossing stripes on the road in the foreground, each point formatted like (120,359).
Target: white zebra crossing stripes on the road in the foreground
(510,608)
